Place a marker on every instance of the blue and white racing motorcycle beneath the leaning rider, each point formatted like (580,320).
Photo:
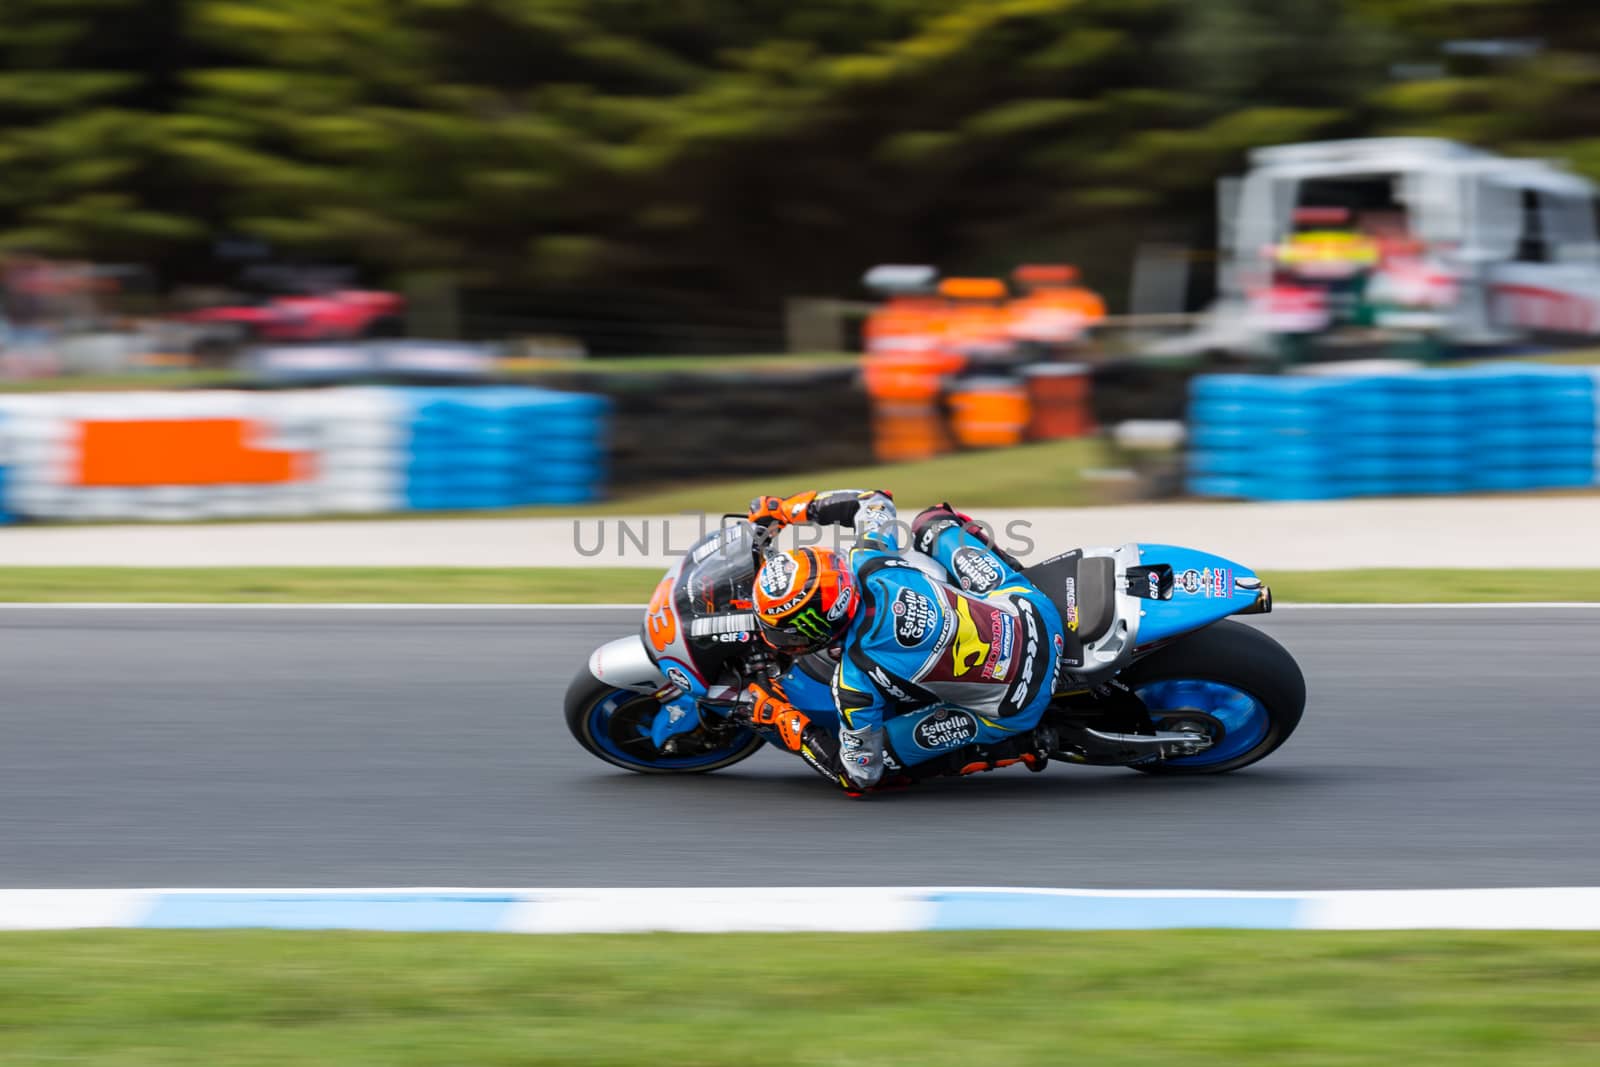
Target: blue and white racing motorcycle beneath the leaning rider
(1154,677)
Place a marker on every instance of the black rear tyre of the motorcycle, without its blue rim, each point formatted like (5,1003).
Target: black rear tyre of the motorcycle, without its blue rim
(1239,657)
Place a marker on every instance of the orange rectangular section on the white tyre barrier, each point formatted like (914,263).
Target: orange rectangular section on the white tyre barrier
(182,452)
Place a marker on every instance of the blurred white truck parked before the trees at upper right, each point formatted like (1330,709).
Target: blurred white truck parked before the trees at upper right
(1505,249)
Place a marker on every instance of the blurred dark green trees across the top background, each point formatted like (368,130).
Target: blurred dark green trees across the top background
(735,151)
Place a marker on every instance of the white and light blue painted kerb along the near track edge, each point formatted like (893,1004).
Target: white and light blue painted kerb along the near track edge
(799,909)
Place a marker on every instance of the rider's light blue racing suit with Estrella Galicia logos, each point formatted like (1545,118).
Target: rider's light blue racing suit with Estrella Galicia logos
(986,642)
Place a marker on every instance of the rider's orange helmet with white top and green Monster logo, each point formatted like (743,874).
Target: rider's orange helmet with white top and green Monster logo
(804,599)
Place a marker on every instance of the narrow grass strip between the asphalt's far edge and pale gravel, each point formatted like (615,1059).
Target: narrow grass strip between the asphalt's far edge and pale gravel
(634,585)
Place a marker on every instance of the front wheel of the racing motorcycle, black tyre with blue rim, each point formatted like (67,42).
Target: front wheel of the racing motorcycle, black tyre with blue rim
(609,725)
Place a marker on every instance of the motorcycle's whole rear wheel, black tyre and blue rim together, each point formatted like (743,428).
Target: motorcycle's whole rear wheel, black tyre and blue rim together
(1230,681)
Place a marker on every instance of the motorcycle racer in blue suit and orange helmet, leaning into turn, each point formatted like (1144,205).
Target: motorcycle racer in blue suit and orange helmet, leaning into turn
(986,641)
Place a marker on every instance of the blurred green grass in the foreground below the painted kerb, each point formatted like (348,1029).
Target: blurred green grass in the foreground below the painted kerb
(1194,999)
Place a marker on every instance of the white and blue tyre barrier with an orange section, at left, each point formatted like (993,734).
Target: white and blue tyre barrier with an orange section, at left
(212,455)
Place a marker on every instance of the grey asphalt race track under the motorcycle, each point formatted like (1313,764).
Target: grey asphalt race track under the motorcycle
(406,748)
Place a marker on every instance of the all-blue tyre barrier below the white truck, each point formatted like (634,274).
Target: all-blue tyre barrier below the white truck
(1302,439)
